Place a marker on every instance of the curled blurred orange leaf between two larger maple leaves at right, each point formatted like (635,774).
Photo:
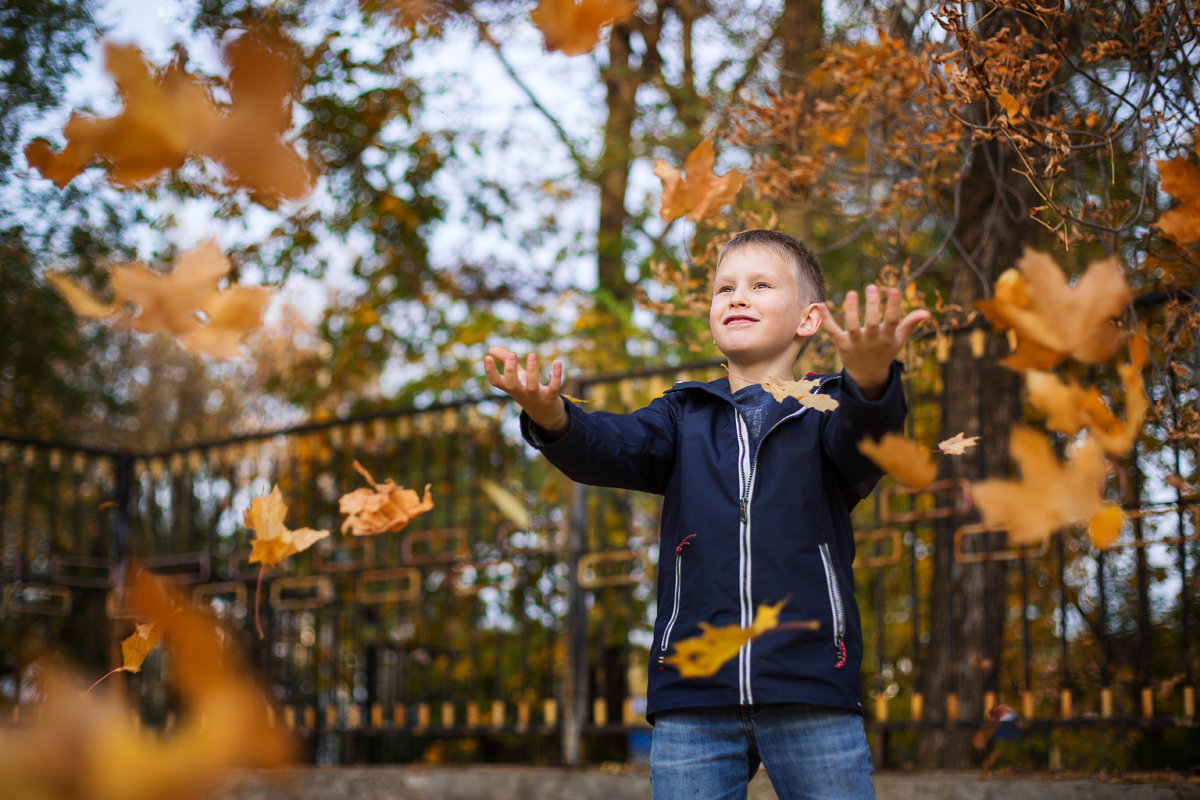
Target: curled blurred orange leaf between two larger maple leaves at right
(1070,408)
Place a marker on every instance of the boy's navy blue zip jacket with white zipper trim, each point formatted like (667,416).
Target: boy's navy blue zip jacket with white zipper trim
(745,528)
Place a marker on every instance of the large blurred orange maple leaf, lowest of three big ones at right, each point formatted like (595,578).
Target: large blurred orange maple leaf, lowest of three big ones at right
(1048,496)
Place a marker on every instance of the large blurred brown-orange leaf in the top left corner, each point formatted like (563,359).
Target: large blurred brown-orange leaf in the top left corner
(170,115)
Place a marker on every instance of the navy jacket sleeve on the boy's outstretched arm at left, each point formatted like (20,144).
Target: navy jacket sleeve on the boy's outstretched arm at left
(628,452)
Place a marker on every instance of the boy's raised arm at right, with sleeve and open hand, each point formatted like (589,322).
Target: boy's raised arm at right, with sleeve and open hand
(872,399)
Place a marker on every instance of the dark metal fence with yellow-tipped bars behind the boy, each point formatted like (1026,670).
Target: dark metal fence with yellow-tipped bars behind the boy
(470,637)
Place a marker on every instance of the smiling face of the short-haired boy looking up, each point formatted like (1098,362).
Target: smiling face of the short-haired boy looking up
(757,316)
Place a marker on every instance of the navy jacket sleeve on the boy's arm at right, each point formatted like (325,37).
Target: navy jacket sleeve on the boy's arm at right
(857,418)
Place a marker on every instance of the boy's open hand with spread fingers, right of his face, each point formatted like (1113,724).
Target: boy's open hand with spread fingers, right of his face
(869,346)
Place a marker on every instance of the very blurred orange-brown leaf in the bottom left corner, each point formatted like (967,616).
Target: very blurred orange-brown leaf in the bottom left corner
(92,747)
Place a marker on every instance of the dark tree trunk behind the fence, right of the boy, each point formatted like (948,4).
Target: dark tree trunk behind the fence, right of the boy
(980,399)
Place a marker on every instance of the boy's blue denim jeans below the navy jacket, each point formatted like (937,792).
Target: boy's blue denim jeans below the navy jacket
(811,753)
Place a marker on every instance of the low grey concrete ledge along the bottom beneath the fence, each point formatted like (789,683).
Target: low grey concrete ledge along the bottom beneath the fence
(631,784)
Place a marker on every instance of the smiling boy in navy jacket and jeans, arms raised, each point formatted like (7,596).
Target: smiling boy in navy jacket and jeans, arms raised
(757,509)
